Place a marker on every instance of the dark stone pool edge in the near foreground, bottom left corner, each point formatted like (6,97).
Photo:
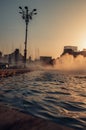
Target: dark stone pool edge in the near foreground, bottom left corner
(13,119)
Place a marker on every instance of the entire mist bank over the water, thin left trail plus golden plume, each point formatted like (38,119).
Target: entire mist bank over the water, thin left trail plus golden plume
(64,63)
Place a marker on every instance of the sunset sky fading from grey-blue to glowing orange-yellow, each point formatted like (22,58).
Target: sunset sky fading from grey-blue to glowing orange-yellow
(58,23)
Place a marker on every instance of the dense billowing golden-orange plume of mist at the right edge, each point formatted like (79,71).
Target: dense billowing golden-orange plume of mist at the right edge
(68,62)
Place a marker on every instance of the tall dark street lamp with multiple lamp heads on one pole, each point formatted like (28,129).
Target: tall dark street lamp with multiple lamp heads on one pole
(27,16)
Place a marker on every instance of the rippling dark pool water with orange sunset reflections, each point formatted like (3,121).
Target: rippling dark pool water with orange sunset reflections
(52,95)
